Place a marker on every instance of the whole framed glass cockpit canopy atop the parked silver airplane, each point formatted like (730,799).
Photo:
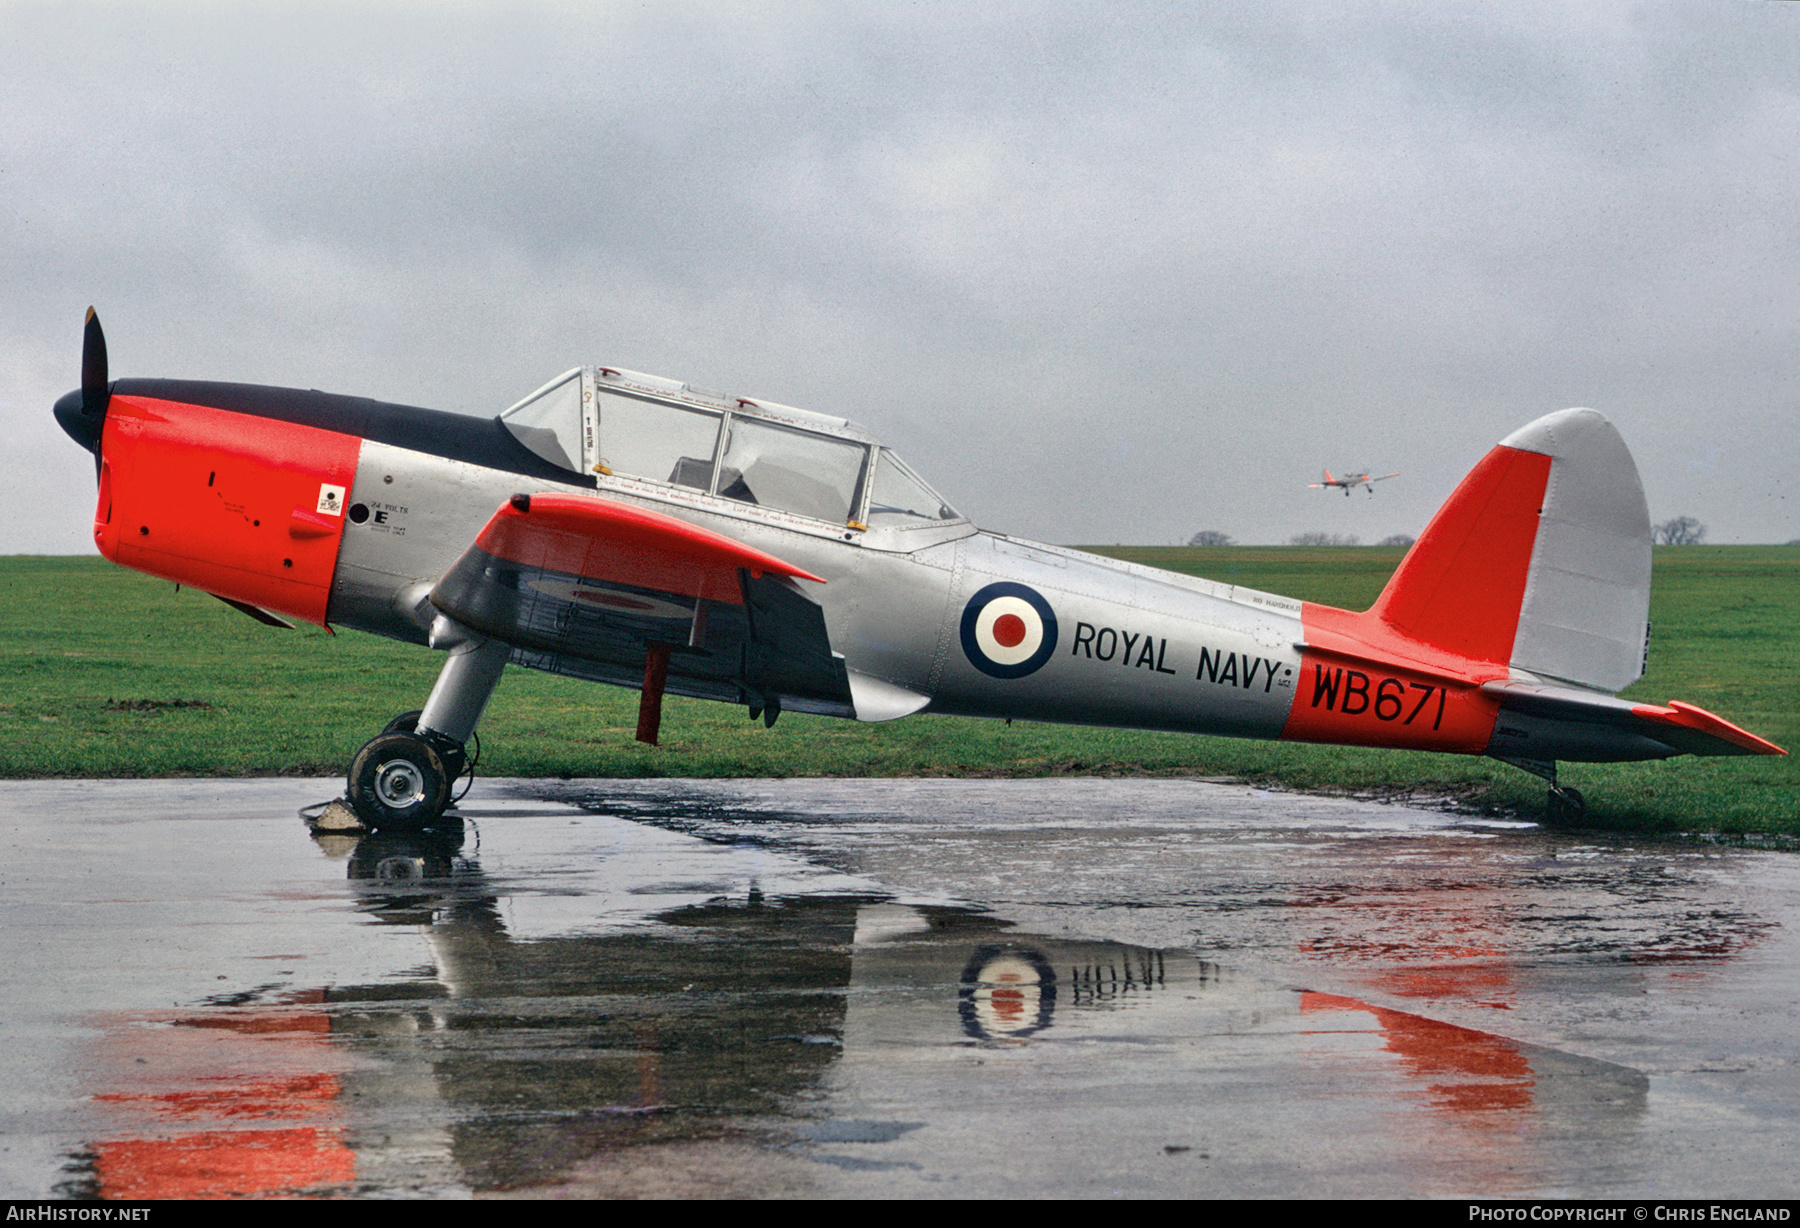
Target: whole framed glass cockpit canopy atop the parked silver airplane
(598,420)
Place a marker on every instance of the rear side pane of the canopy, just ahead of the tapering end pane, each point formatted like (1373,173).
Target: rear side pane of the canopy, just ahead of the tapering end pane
(795,471)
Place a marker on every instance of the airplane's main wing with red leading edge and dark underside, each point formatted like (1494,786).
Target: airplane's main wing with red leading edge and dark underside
(602,590)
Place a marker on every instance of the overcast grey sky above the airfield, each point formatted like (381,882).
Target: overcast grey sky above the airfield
(1102,275)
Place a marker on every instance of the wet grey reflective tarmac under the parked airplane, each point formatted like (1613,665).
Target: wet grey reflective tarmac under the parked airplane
(854,989)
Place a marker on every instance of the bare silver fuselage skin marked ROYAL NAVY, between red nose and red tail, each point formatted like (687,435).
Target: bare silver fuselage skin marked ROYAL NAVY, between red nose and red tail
(1135,647)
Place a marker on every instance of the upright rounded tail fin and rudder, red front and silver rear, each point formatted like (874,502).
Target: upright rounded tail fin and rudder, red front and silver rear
(1540,561)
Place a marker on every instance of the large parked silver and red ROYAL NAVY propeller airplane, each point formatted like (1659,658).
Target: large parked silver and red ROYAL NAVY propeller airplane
(649,534)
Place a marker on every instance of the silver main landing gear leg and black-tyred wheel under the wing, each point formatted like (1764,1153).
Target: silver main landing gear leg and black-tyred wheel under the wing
(402,779)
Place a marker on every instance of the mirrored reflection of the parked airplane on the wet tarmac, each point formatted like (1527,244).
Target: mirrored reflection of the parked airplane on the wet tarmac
(508,1063)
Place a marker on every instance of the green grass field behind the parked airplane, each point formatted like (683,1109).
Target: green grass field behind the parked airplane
(105,673)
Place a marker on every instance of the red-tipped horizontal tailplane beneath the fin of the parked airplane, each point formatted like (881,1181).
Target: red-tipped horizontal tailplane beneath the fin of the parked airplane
(1560,723)
